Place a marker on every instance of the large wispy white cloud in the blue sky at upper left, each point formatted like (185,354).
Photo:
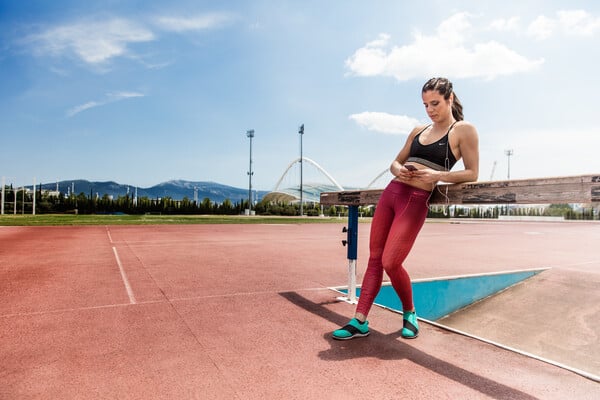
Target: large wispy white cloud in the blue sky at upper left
(92,42)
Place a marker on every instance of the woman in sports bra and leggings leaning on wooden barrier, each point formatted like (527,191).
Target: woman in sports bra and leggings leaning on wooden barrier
(427,157)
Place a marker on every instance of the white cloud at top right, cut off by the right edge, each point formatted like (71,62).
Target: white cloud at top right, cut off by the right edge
(568,22)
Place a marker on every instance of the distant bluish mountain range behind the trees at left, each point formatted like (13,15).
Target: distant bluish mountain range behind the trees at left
(175,189)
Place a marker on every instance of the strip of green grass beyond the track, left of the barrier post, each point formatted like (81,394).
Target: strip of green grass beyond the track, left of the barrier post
(69,219)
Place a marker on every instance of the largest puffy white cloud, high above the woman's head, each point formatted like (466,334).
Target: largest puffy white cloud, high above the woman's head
(449,52)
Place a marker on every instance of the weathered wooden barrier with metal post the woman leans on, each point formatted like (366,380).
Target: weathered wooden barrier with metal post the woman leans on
(559,190)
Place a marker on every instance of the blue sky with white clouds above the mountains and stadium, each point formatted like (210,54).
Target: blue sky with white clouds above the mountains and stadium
(141,92)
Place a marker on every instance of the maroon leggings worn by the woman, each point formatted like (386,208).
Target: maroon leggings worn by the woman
(399,216)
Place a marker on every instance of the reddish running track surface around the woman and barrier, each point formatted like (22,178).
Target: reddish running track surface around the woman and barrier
(245,312)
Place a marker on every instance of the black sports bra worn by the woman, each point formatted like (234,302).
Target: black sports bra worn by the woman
(437,155)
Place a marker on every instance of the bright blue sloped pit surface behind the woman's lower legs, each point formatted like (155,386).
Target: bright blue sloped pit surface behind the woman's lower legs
(435,299)
